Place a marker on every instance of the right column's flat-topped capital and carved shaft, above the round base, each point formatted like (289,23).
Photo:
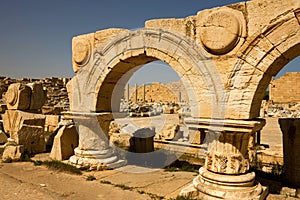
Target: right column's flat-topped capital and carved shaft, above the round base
(227,143)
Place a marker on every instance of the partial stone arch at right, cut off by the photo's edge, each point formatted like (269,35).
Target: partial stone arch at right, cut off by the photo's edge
(261,57)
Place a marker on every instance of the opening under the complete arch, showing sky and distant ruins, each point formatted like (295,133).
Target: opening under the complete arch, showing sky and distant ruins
(148,105)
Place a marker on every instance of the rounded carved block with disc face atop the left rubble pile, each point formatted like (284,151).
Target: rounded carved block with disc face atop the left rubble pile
(18,96)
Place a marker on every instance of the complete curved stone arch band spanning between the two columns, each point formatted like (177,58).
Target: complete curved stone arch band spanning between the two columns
(94,83)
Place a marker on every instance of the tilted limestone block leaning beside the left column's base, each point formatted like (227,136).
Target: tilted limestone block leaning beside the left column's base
(64,143)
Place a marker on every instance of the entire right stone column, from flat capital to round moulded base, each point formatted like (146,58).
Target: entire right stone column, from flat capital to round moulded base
(225,174)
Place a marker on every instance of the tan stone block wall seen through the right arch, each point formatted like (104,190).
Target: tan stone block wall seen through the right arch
(286,88)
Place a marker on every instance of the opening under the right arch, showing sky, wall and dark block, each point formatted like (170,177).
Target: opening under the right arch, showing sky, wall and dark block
(279,134)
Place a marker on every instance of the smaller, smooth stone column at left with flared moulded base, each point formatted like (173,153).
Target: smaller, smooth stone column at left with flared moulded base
(93,149)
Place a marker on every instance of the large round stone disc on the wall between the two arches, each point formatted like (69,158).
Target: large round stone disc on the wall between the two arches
(220,32)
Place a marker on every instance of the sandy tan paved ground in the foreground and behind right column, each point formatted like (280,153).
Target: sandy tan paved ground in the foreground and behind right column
(23,180)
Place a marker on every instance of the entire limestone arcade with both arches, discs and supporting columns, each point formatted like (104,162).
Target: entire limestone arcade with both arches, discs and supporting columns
(226,58)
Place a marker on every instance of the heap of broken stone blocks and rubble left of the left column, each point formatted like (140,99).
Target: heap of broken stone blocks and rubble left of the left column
(25,127)
